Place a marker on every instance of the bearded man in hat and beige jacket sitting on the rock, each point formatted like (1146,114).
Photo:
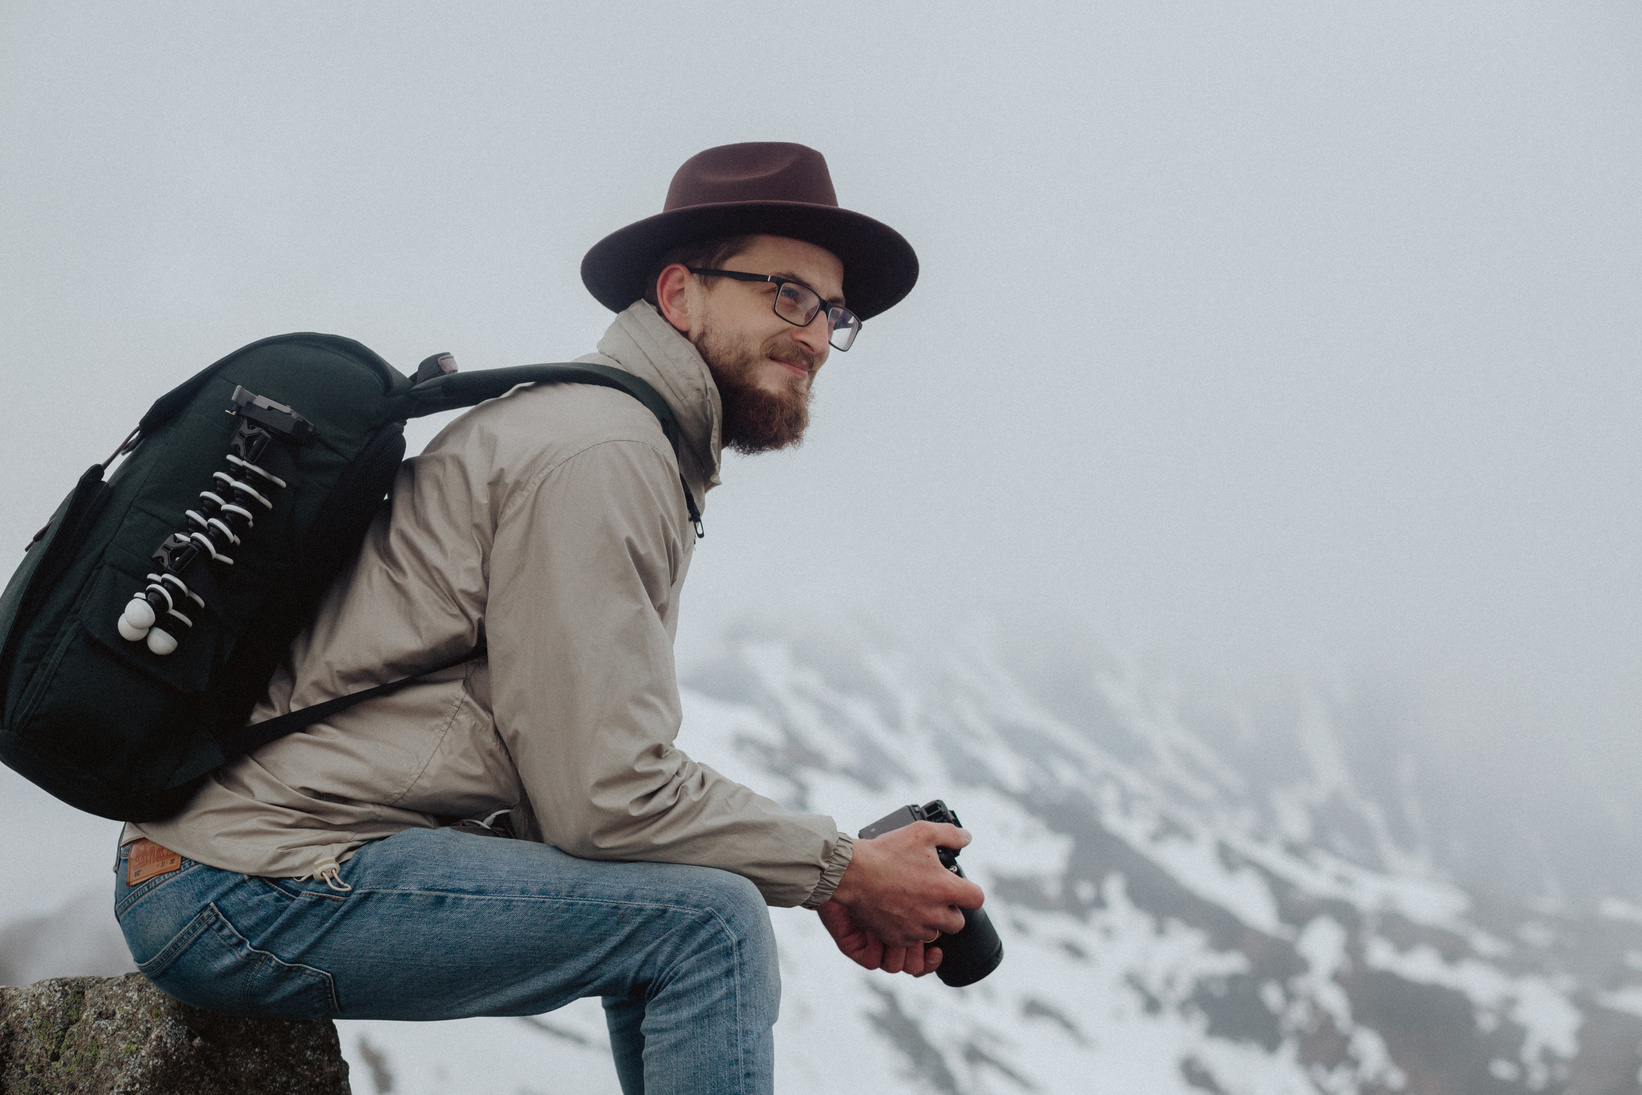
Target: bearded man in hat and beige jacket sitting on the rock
(324,876)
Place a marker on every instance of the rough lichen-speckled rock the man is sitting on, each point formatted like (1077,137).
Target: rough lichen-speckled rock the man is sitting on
(124,1037)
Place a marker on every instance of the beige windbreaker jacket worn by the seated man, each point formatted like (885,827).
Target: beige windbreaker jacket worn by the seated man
(553,526)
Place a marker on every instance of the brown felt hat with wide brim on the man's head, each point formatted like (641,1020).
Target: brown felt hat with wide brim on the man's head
(766,188)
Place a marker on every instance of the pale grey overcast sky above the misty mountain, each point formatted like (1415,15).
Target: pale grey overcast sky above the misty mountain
(1247,332)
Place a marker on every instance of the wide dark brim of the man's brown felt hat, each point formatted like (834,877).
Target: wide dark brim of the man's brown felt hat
(879,265)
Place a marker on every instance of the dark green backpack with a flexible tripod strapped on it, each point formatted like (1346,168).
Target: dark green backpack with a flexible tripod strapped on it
(152,612)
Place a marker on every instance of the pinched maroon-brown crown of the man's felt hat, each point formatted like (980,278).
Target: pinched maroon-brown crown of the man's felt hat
(758,172)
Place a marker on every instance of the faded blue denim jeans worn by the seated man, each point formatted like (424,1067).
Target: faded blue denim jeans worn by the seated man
(444,925)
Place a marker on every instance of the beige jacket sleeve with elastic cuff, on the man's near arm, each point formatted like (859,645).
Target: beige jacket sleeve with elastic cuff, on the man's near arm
(584,570)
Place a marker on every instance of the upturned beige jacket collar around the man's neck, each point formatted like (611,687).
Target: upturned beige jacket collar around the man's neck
(643,344)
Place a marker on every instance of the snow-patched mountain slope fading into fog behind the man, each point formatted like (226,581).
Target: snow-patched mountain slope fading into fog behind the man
(1195,897)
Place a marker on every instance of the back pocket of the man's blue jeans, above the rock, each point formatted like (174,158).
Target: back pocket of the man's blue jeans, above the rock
(211,966)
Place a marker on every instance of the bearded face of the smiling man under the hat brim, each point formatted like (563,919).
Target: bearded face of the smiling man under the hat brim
(761,364)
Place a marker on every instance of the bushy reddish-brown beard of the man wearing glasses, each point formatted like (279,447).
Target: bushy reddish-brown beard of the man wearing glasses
(756,419)
